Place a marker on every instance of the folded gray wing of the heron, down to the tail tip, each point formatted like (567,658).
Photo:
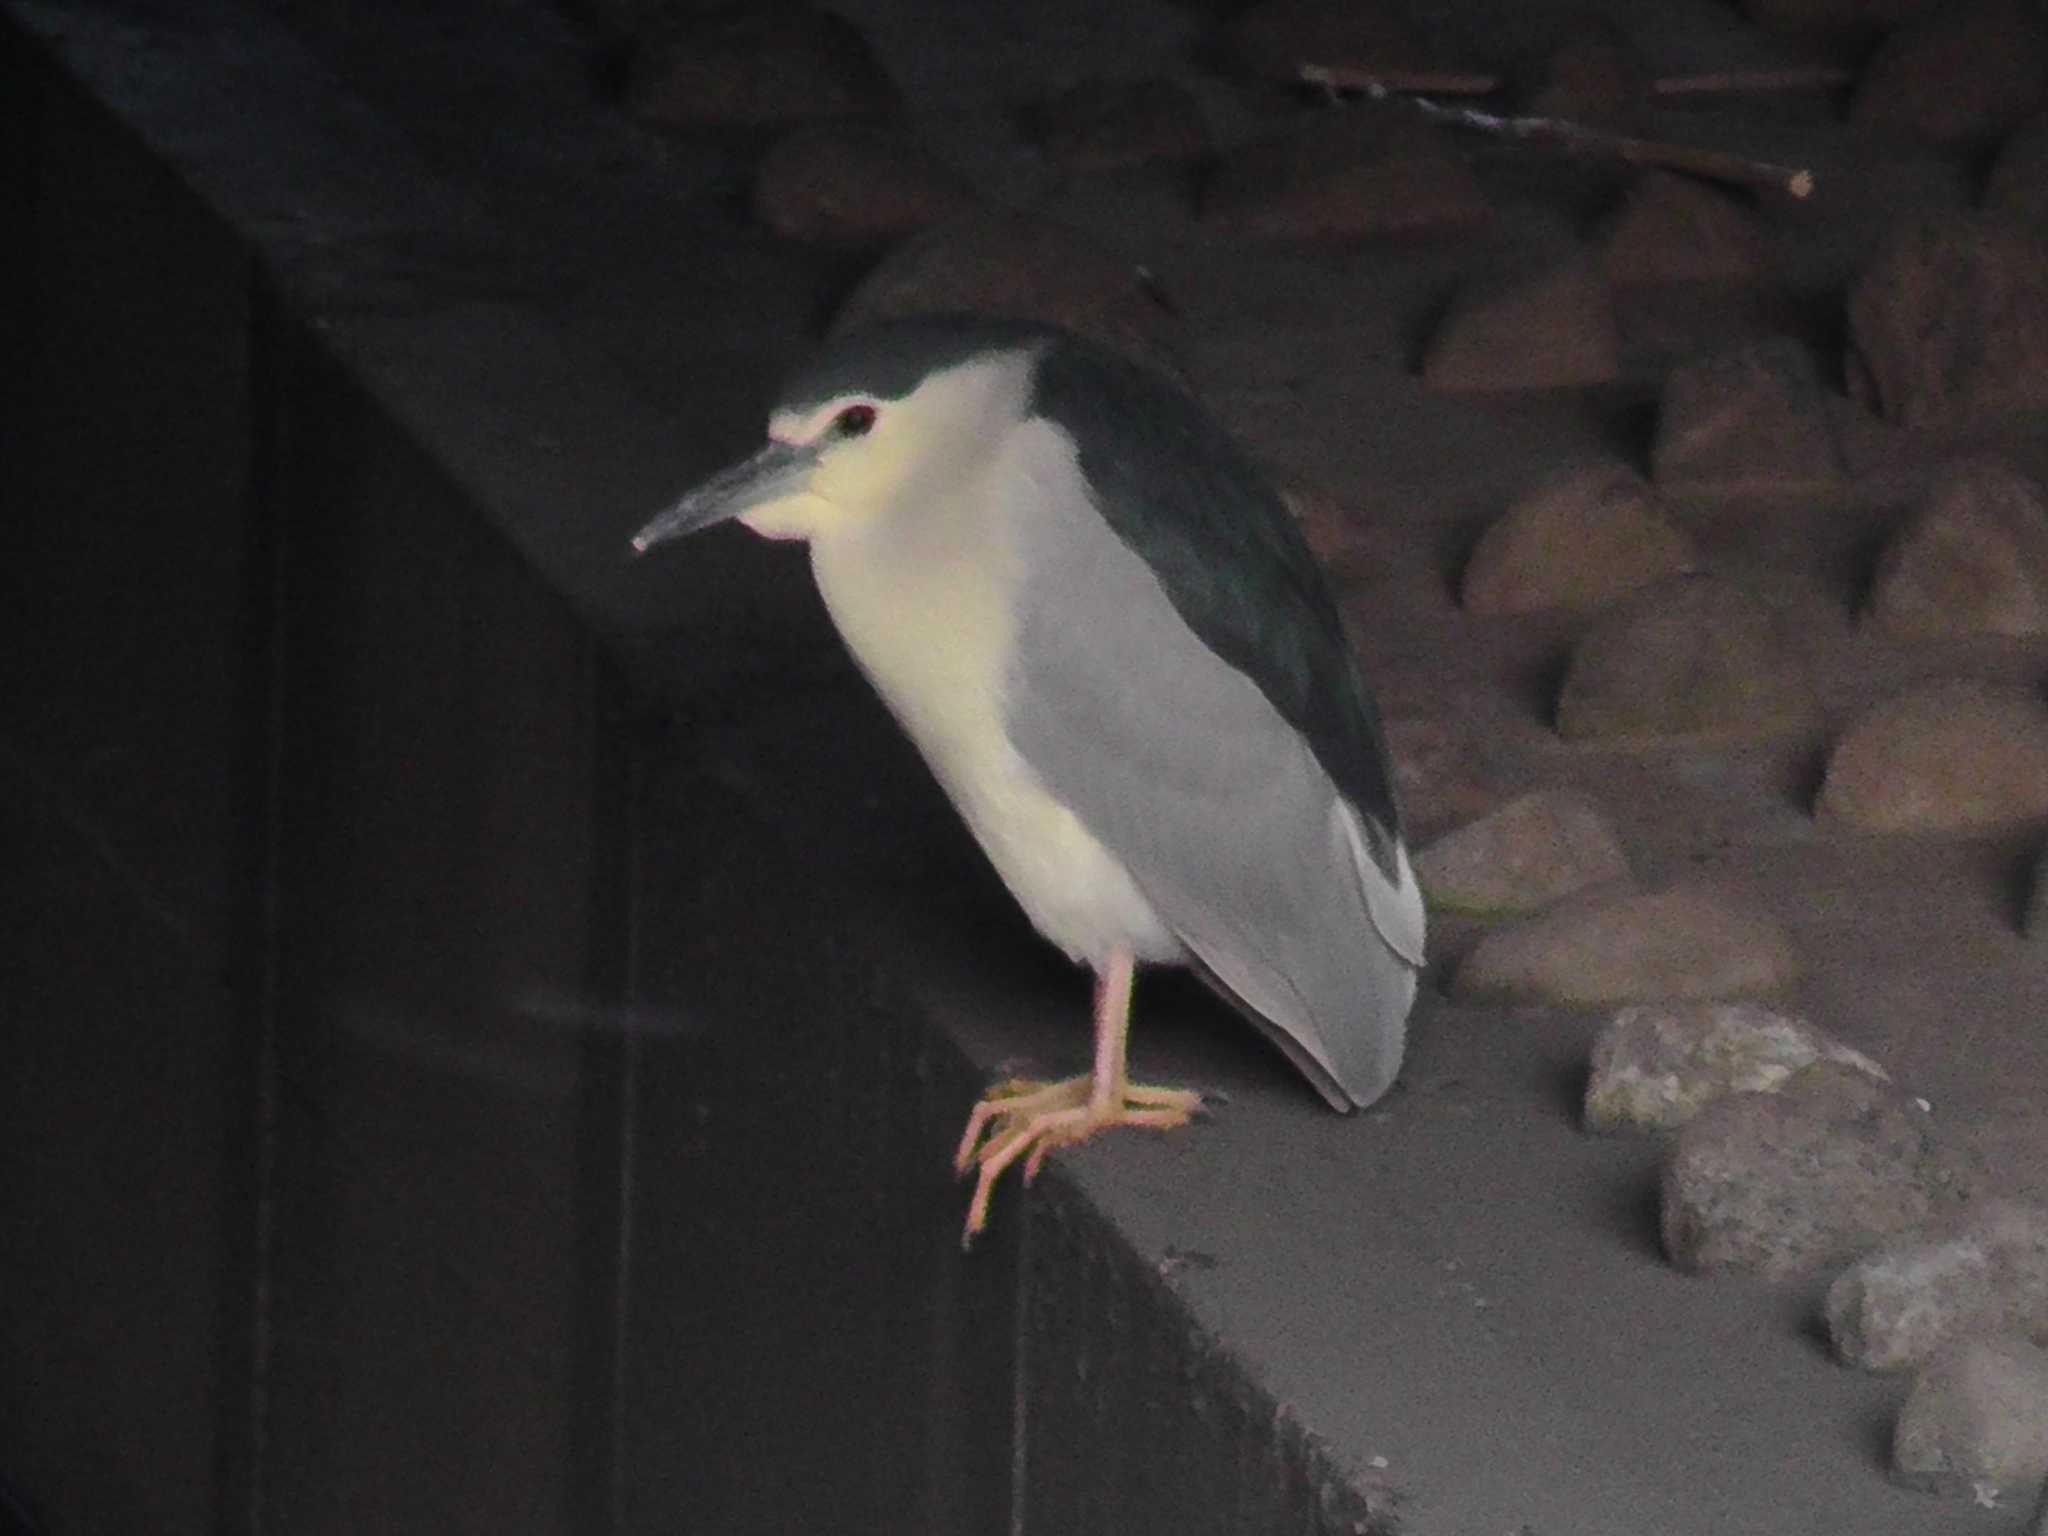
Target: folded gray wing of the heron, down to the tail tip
(1234,833)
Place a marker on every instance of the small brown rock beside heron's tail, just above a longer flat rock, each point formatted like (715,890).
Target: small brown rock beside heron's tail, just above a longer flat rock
(1525,857)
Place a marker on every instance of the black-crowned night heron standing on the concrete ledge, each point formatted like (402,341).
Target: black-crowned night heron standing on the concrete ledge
(1113,646)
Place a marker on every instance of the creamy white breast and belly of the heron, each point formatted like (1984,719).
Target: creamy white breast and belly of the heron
(927,609)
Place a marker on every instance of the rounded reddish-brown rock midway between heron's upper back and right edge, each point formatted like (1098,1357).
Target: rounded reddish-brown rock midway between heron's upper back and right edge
(1578,542)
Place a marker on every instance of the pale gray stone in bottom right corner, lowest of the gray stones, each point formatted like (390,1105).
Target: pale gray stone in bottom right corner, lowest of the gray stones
(1977,1420)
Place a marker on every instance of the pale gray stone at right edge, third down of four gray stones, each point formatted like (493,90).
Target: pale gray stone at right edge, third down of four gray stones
(1983,1273)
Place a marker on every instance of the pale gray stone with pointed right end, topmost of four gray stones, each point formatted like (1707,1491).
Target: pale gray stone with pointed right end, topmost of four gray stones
(1656,1066)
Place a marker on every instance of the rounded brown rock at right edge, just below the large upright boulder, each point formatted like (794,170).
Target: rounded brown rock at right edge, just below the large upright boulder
(1971,562)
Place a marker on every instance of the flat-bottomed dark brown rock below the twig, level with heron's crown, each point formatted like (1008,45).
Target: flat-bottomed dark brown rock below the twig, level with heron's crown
(1533,333)
